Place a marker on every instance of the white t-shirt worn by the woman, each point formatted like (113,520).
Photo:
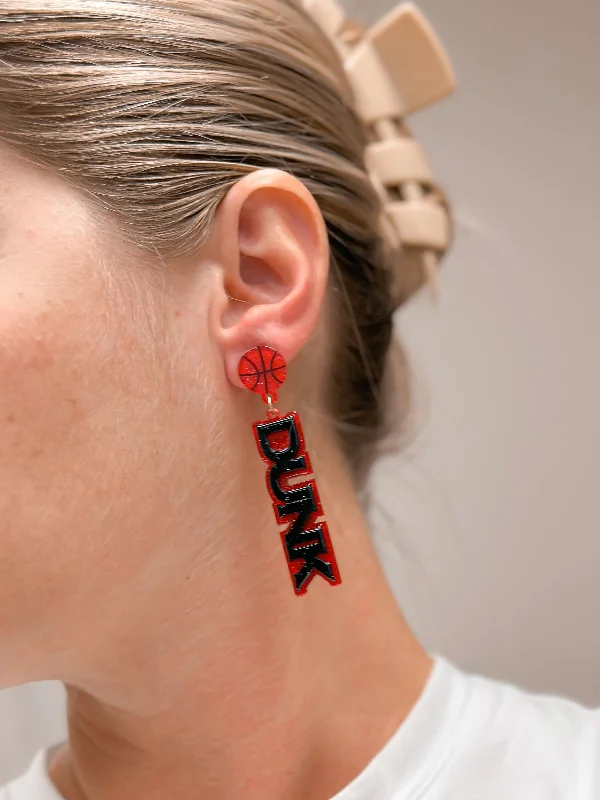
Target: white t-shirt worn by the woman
(466,738)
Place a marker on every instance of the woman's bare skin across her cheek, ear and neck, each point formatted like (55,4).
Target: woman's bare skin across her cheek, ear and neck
(140,563)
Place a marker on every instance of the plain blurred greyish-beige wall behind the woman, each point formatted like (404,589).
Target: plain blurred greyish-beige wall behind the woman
(488,524)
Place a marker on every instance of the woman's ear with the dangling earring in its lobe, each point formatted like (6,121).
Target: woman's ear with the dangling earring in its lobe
(270,241)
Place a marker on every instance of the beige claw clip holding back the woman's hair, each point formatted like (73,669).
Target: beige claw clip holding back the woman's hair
(396,68)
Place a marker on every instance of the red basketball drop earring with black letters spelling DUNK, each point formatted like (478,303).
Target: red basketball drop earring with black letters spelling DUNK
(290,480)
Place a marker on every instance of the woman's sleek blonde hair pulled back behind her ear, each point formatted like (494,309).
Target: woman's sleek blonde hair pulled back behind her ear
(155,108)
